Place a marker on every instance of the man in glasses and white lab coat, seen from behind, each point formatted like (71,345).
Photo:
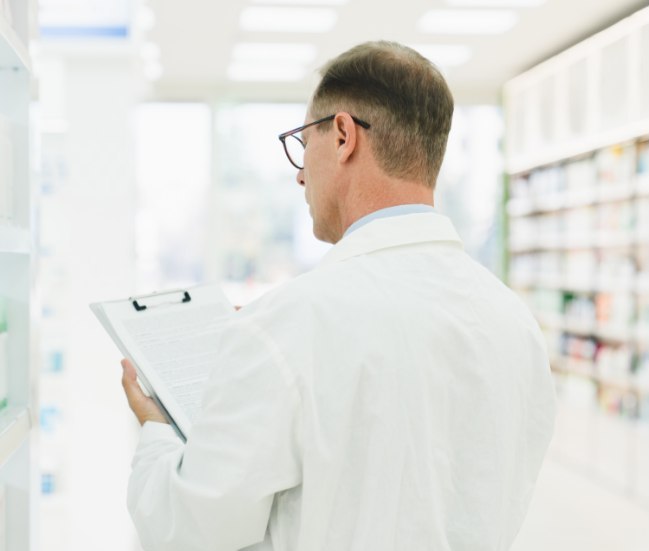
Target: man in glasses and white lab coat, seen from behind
(397,397)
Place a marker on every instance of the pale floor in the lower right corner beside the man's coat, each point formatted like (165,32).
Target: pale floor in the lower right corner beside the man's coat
(569,512)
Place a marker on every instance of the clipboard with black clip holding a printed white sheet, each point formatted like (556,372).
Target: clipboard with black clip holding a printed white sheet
(171,338)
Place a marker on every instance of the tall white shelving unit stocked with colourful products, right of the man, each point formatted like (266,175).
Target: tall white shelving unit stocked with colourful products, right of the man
(577,157)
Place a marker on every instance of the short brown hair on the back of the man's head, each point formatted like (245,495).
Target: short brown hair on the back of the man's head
(404,98)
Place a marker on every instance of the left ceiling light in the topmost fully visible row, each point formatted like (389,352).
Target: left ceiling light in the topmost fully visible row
(306,20)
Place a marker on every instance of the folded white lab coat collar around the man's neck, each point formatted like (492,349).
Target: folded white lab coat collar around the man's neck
(394,231)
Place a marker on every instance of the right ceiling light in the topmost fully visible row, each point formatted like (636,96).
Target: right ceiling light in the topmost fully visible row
(467,21)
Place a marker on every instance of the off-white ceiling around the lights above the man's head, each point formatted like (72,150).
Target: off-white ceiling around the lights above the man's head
(196,40)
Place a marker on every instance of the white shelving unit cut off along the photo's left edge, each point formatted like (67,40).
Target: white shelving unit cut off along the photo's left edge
(17,374)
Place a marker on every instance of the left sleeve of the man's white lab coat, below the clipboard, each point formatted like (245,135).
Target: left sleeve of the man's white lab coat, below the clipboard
(216,491)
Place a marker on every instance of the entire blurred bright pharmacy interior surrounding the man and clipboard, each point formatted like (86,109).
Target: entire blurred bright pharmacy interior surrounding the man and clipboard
(139,152)
